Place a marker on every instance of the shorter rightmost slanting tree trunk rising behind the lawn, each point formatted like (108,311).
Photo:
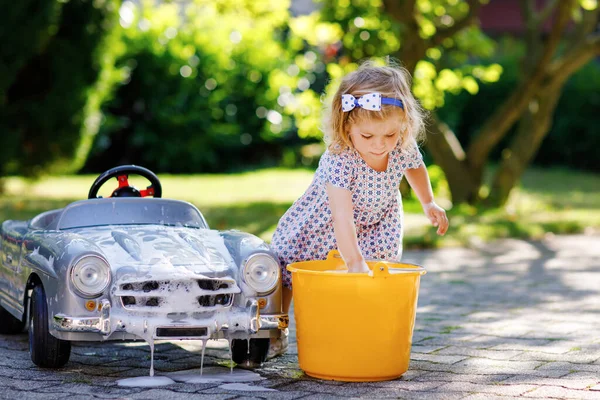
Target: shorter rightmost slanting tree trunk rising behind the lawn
(532,129)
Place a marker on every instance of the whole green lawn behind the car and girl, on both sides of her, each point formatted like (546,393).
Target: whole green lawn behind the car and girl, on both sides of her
(556,201)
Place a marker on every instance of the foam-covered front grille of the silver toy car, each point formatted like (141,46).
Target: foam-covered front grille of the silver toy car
(199,295)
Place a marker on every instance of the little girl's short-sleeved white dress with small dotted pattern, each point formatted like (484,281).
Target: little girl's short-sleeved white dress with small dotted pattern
(305,232)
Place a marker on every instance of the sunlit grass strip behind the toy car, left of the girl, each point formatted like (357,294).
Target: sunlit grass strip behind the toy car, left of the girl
(251,202)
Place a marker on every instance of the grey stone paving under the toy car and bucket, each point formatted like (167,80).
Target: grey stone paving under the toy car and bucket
(510,319)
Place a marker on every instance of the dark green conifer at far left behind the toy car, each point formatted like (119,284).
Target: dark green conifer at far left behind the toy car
(52,89)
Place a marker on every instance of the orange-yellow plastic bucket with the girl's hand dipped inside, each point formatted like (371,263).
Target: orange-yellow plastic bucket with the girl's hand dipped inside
(354,327)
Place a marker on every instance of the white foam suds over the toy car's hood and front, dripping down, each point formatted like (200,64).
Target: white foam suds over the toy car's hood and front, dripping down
(159,286)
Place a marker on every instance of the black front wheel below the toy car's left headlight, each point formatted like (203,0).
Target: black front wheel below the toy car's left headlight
(46,350)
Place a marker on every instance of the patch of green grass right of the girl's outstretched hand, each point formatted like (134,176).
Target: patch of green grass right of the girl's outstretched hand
(547,201)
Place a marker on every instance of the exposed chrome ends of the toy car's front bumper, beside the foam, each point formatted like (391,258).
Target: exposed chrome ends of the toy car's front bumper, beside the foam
(102,324)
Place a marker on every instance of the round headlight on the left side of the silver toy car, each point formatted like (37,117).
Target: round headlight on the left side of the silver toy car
(90,276)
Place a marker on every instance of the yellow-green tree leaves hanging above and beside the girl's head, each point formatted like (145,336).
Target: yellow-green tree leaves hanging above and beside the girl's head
(347,32)
